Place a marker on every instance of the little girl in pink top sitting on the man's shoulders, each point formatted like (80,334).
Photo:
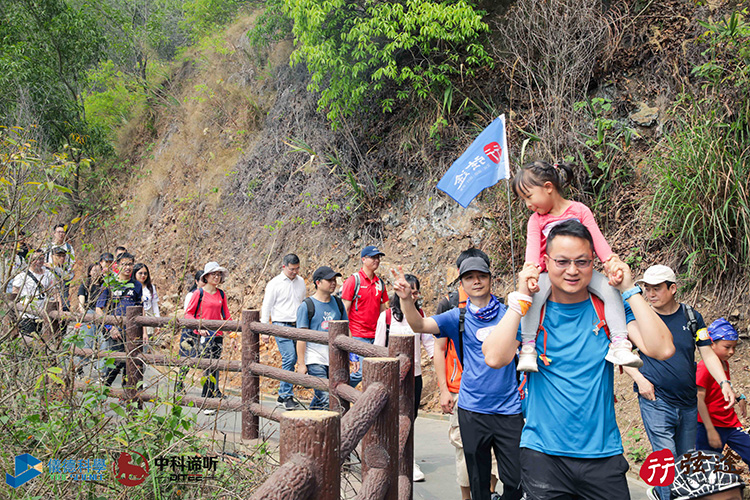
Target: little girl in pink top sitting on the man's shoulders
(540,185)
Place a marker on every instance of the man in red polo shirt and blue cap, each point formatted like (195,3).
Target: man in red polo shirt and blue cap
(365,297)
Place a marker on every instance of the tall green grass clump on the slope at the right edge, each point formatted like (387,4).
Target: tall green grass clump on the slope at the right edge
(702,199)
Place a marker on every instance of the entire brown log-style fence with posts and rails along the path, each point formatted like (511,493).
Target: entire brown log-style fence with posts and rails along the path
(313,444)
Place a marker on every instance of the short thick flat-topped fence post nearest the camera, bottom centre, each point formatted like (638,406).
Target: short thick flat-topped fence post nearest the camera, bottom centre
(311,437)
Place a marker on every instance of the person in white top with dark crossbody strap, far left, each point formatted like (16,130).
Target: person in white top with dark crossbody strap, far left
(33,289)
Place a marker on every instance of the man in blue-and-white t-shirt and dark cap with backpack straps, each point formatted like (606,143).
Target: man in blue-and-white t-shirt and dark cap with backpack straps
(316,313)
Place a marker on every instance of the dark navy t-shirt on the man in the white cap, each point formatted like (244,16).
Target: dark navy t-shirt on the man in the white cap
(674,378)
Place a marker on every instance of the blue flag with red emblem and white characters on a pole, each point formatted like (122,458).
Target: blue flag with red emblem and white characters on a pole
(481,166)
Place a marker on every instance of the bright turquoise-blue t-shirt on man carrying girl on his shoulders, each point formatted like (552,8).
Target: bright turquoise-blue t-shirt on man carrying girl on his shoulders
(570,408)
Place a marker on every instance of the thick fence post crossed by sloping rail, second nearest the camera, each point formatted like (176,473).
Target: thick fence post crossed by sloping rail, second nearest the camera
(380,444)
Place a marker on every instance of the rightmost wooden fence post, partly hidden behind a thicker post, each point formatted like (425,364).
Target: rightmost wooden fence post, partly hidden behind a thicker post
(401,346)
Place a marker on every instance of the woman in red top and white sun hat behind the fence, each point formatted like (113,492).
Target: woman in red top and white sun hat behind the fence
(210,302)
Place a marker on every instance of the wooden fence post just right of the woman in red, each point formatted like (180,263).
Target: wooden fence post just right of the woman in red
(250,382)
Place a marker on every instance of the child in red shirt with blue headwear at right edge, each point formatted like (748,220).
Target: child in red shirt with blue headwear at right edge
(717,425)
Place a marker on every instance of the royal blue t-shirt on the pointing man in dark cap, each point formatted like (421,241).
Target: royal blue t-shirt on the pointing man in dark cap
(483,389)
